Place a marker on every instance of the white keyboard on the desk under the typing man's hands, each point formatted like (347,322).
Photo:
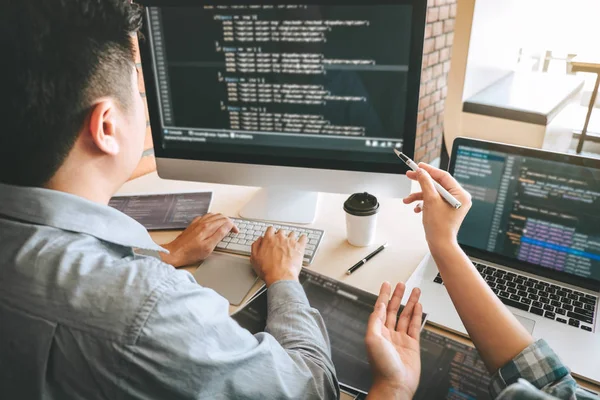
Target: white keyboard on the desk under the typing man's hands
(241,243)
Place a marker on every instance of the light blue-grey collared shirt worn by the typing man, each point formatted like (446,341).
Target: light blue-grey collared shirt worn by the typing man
(83,316)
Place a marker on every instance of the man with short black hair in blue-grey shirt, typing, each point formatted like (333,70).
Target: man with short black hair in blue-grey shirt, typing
(83,313)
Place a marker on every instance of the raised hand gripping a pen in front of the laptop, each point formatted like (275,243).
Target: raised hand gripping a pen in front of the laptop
(441,222)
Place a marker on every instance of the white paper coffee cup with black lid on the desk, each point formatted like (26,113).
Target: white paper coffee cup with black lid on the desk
(361,219)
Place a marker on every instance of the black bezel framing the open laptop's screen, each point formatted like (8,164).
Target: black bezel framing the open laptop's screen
(495,258)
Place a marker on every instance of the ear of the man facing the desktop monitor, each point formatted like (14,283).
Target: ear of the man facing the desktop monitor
(103,127)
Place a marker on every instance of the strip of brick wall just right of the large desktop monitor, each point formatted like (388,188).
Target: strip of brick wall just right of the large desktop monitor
(439,36)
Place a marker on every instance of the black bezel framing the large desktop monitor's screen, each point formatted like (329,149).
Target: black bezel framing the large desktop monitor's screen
(413,86)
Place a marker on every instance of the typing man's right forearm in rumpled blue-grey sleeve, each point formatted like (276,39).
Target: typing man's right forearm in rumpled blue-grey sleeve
(301,332)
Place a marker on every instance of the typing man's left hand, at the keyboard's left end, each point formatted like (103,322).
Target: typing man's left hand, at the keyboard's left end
(199,240)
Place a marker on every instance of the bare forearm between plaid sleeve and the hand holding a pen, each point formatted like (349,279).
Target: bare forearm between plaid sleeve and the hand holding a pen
(494,330)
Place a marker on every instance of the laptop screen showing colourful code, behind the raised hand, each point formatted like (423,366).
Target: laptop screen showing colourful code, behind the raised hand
(530,206)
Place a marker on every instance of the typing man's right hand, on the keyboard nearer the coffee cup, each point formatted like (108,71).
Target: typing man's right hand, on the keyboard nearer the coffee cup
(278,256)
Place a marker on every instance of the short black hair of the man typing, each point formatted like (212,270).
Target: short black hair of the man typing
(57,57)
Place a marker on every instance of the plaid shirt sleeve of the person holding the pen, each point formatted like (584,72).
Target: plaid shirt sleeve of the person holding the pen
(536,373)
